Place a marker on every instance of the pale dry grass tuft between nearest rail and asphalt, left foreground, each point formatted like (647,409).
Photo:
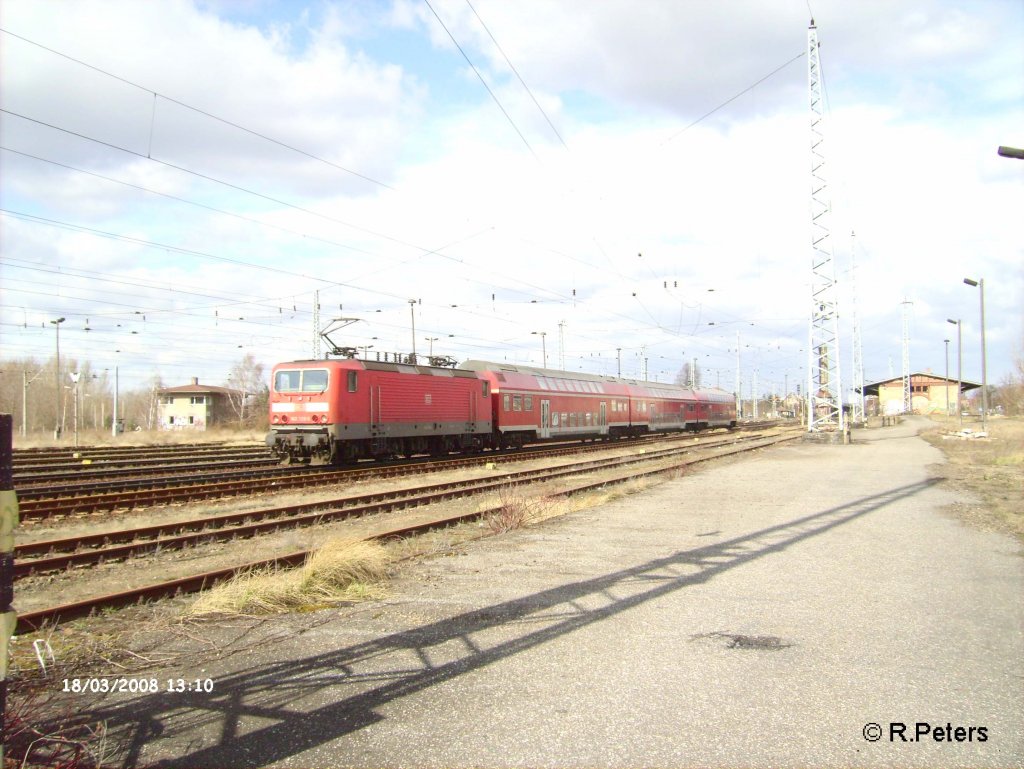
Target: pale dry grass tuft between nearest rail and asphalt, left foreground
(339,571)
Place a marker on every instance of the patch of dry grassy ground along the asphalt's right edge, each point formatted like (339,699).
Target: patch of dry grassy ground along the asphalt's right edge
(991,468)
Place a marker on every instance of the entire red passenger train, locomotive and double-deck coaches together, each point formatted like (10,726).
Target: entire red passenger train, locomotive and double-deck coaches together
(344,410)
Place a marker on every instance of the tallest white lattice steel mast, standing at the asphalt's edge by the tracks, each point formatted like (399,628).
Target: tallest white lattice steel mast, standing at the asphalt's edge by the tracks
(825,389)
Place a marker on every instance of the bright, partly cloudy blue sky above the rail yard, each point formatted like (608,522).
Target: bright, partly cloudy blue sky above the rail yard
(613,181)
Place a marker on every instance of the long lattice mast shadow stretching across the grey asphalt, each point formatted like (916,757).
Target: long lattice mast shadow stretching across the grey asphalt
(361,678)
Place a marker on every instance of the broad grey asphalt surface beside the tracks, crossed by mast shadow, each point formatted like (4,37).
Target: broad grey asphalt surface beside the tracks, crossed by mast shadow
(761,613)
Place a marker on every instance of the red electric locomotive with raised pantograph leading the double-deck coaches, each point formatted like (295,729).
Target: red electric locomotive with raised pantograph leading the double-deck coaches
(345,410)
